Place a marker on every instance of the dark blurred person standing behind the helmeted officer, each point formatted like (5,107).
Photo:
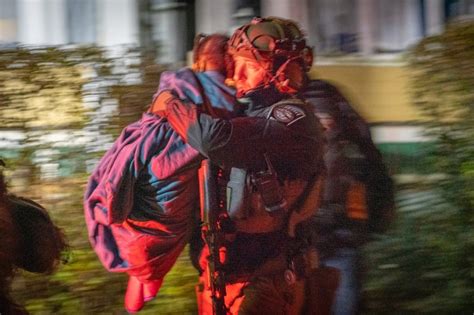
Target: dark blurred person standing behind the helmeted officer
(357,194)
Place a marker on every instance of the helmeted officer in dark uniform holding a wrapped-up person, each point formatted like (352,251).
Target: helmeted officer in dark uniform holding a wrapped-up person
(281,136)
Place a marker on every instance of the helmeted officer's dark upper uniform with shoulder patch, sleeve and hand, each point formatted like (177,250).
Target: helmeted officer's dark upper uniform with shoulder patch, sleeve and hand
(287,132)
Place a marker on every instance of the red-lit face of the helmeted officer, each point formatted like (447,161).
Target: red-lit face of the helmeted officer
(250,74)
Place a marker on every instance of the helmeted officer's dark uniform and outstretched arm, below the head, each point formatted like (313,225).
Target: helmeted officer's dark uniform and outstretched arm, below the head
(289,136)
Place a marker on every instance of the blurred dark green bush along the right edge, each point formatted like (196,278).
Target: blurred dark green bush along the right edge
(425,265)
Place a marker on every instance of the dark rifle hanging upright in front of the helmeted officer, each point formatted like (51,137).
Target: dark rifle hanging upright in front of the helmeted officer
(212,215)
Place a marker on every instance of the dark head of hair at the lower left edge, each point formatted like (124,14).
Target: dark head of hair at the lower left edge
(29,240)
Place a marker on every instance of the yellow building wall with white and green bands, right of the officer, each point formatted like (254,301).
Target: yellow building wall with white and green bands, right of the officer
(381,94)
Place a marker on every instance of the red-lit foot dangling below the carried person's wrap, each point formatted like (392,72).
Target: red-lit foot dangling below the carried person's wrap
(139,292)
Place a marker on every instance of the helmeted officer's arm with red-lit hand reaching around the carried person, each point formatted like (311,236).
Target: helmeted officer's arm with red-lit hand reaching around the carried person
(240,142)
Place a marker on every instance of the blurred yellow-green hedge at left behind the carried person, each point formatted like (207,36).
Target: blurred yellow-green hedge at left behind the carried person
(60,109)
